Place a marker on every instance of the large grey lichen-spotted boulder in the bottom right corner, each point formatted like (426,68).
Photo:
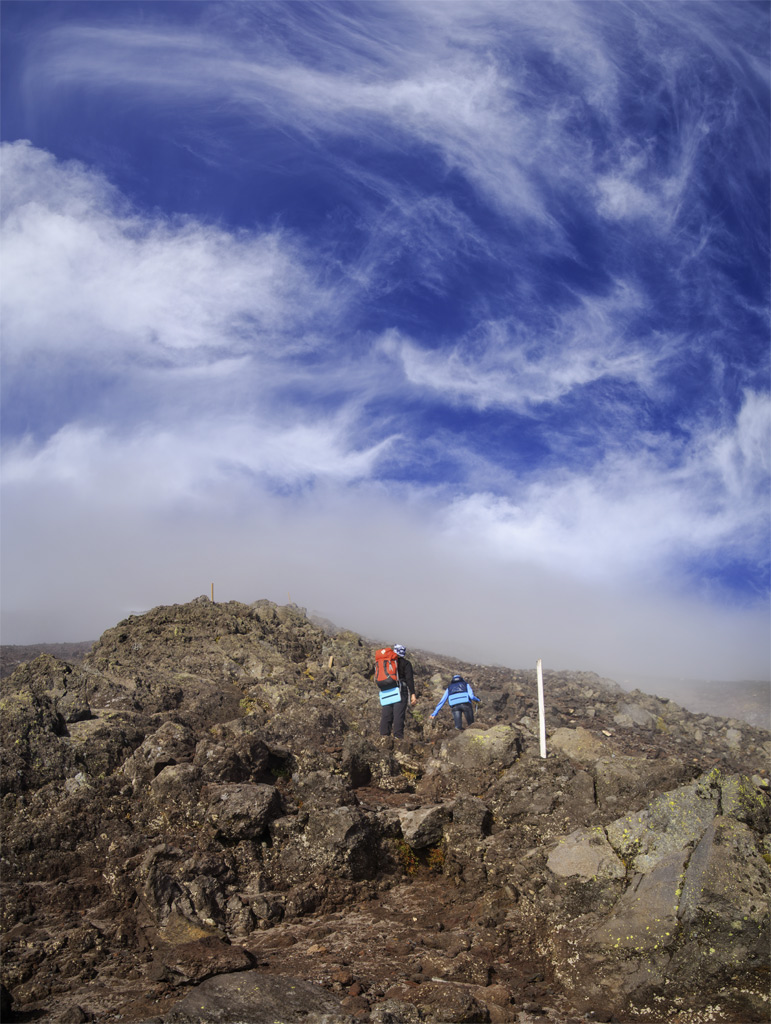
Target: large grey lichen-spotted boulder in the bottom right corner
(701,886)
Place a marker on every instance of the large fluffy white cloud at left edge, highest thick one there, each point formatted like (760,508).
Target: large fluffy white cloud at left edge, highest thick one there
(83,273)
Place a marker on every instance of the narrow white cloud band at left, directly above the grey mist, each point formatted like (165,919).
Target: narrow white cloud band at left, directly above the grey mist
(157,468)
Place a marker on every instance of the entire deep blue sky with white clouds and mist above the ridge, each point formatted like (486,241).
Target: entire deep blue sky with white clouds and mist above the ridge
(448,321)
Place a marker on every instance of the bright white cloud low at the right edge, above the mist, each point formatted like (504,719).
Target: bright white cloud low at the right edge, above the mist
(637,515)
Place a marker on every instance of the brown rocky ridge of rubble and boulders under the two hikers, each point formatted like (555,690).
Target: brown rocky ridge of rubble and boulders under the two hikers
(202,824)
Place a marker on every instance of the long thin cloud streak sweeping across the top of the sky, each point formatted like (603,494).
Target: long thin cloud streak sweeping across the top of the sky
(467,104)
